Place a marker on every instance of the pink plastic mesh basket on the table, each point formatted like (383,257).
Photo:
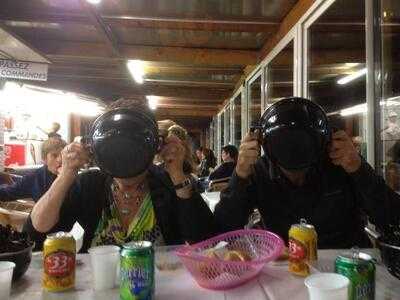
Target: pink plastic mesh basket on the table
(217,274)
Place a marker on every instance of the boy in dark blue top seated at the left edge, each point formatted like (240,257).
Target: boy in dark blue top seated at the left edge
(34,185)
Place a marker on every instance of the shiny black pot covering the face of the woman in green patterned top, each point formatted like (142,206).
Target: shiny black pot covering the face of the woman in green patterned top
(124,141)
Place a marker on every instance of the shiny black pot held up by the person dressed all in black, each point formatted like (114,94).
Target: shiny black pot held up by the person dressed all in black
(295,133)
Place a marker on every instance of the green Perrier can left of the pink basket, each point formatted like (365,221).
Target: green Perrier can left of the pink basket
(137,271)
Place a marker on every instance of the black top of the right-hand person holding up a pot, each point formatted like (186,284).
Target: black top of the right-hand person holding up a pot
(332,200)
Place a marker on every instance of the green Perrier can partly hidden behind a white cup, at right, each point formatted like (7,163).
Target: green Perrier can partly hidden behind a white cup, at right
(360,269)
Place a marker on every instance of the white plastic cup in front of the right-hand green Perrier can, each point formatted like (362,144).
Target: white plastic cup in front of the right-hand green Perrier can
(327,286)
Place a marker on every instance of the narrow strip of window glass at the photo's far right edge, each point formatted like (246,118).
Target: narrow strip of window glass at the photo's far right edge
(390,130)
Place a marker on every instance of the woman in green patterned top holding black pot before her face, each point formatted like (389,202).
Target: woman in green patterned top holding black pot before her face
(129,198)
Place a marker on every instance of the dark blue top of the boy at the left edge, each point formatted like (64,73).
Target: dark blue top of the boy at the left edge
(32,185)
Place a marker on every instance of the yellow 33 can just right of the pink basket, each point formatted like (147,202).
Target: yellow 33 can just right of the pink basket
(302,248)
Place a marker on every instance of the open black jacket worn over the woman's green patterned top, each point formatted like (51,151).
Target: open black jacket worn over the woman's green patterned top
(180,220)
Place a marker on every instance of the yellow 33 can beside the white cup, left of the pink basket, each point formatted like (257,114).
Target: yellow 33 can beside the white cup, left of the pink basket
(59,253)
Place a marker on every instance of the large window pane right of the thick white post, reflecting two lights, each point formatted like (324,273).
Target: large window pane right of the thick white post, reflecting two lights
(337,67)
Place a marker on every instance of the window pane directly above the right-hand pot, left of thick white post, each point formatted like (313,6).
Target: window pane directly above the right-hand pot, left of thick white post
(279,79)
